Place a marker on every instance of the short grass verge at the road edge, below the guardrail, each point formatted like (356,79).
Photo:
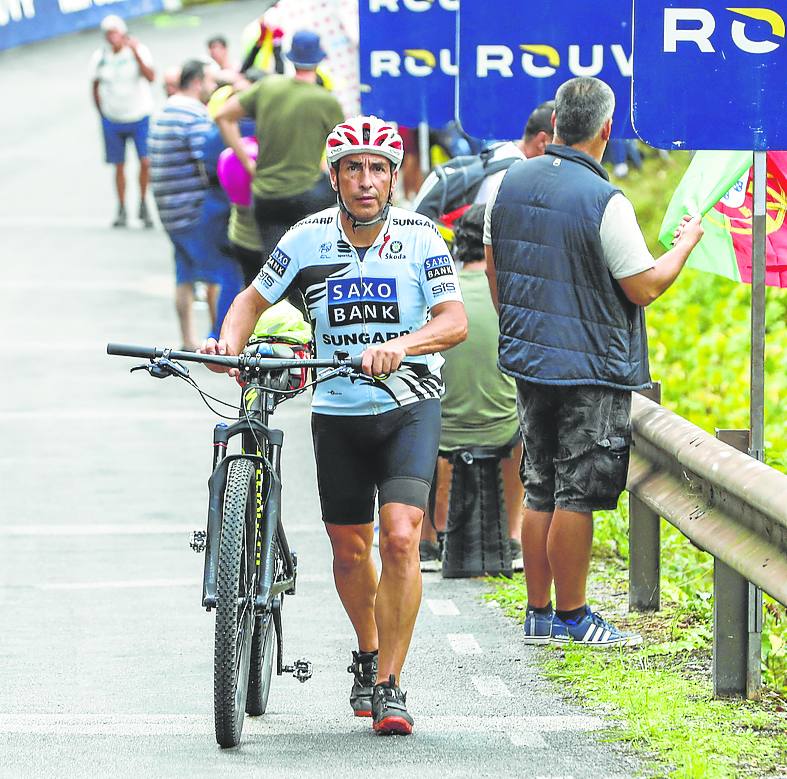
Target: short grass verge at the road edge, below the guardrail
(659,698)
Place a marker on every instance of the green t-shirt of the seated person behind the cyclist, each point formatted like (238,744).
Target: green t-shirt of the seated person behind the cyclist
(479,405)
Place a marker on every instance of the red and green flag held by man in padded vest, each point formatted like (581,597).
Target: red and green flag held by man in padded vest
(719,185)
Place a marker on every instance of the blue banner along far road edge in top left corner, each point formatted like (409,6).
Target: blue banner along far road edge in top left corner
(25,21)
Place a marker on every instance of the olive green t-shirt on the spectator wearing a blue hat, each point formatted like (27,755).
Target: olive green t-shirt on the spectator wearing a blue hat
(293,119)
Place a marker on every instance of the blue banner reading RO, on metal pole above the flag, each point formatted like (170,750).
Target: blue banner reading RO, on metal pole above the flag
(710,76)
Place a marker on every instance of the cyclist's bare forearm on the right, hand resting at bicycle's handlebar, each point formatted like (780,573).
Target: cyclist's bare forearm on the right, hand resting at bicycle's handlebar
(446,328)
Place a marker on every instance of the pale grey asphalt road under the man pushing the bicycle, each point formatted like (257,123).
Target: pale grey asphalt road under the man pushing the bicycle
(105,653)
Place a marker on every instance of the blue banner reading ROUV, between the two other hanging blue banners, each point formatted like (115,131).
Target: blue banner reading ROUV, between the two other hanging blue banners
(515,57)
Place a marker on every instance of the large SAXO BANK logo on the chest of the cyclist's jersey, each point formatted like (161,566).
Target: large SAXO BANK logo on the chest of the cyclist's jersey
(356,301)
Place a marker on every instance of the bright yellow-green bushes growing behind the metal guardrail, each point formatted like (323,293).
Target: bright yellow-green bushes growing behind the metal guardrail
(699,346)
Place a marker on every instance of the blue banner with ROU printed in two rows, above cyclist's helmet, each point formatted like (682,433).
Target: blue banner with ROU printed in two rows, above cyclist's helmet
(408,60)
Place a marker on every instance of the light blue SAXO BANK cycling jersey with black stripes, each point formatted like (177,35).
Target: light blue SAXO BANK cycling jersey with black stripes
(356,302)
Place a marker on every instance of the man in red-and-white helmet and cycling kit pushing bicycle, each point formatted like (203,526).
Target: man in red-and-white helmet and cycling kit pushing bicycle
(378,281)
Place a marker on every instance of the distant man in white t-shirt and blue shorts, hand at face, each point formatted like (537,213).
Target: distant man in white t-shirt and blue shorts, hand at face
(122,70)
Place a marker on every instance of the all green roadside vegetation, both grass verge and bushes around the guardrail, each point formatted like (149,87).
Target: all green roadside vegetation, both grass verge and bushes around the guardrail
(661,695)
